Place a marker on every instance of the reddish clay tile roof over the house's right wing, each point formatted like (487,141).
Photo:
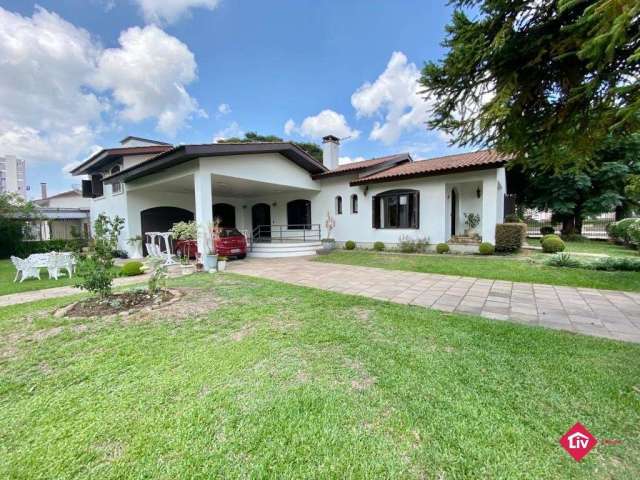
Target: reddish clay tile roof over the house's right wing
(437,166)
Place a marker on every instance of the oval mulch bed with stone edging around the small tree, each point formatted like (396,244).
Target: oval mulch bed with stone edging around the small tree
(118,303)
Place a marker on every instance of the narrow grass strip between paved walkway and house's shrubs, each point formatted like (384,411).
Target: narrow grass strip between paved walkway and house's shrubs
(517,269)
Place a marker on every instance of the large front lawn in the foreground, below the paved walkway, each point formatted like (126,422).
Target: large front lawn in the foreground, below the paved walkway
(276,381)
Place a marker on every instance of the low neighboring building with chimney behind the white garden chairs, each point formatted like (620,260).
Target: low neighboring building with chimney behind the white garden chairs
(64,216)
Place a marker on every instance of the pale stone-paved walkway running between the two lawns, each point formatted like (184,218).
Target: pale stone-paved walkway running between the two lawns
(602,313)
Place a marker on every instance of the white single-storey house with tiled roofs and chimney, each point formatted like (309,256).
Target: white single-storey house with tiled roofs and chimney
(280,195)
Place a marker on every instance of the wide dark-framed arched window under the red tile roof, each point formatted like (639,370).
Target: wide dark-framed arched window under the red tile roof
(396,209)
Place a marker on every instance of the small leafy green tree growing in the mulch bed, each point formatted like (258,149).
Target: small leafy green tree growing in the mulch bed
(95,272)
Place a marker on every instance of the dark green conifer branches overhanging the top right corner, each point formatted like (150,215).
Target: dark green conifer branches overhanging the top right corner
(545,80)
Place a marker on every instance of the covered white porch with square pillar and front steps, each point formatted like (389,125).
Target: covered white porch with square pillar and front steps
(275,218)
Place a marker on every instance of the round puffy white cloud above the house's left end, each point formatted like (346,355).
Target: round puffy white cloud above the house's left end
(148,75)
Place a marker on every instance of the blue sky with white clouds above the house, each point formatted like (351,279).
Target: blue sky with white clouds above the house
(211,68)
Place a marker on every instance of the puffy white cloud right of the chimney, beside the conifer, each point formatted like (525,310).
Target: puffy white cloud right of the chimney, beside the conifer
(394,95)
